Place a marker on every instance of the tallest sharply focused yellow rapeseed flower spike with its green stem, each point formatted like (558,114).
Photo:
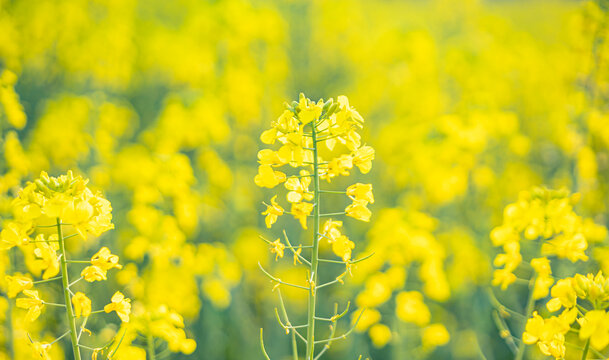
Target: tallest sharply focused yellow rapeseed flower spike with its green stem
(298,132)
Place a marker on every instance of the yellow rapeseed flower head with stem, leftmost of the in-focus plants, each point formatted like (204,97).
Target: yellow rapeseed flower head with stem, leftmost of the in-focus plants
(63,204)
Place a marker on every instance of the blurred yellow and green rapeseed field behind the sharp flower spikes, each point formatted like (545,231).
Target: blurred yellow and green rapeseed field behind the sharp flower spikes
(161,103)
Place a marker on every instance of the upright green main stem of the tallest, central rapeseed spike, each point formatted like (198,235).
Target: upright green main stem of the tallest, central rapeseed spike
(310,355)
